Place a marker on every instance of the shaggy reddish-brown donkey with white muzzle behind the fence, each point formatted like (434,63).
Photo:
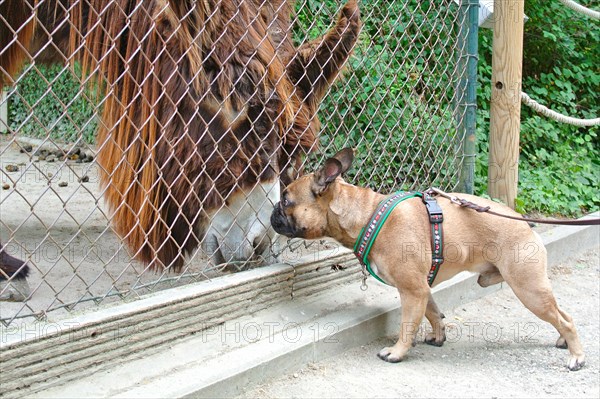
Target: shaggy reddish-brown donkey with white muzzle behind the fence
(208,109)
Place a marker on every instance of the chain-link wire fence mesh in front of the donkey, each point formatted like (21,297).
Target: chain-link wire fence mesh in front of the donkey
(145,142)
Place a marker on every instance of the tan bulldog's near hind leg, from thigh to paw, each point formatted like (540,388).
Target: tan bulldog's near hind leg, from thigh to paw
(529,281)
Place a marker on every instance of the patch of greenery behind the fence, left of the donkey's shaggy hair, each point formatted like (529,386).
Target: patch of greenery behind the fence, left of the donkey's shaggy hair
(49,101)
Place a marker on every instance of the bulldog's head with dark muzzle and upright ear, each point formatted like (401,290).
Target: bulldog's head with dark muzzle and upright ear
(302,211)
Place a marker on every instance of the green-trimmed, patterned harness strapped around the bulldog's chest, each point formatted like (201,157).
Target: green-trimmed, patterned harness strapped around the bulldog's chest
(369,233)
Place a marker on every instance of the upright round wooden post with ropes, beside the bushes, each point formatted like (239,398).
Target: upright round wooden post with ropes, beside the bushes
(505,107)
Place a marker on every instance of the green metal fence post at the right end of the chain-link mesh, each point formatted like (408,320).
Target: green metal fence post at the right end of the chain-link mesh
(466,91)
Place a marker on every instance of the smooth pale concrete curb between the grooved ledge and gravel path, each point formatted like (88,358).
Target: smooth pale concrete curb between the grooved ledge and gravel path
(223,360)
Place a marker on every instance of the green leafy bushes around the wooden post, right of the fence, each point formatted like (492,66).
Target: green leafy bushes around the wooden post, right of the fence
(559,164)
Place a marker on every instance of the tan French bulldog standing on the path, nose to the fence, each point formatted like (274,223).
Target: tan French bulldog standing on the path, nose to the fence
(322,204)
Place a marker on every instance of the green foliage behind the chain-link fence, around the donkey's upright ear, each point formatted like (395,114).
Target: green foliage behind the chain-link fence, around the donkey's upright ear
(394,103)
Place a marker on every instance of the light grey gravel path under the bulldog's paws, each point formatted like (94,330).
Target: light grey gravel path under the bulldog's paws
(496,349)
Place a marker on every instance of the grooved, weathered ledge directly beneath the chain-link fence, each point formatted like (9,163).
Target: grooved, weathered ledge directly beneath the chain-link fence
(36,356)
